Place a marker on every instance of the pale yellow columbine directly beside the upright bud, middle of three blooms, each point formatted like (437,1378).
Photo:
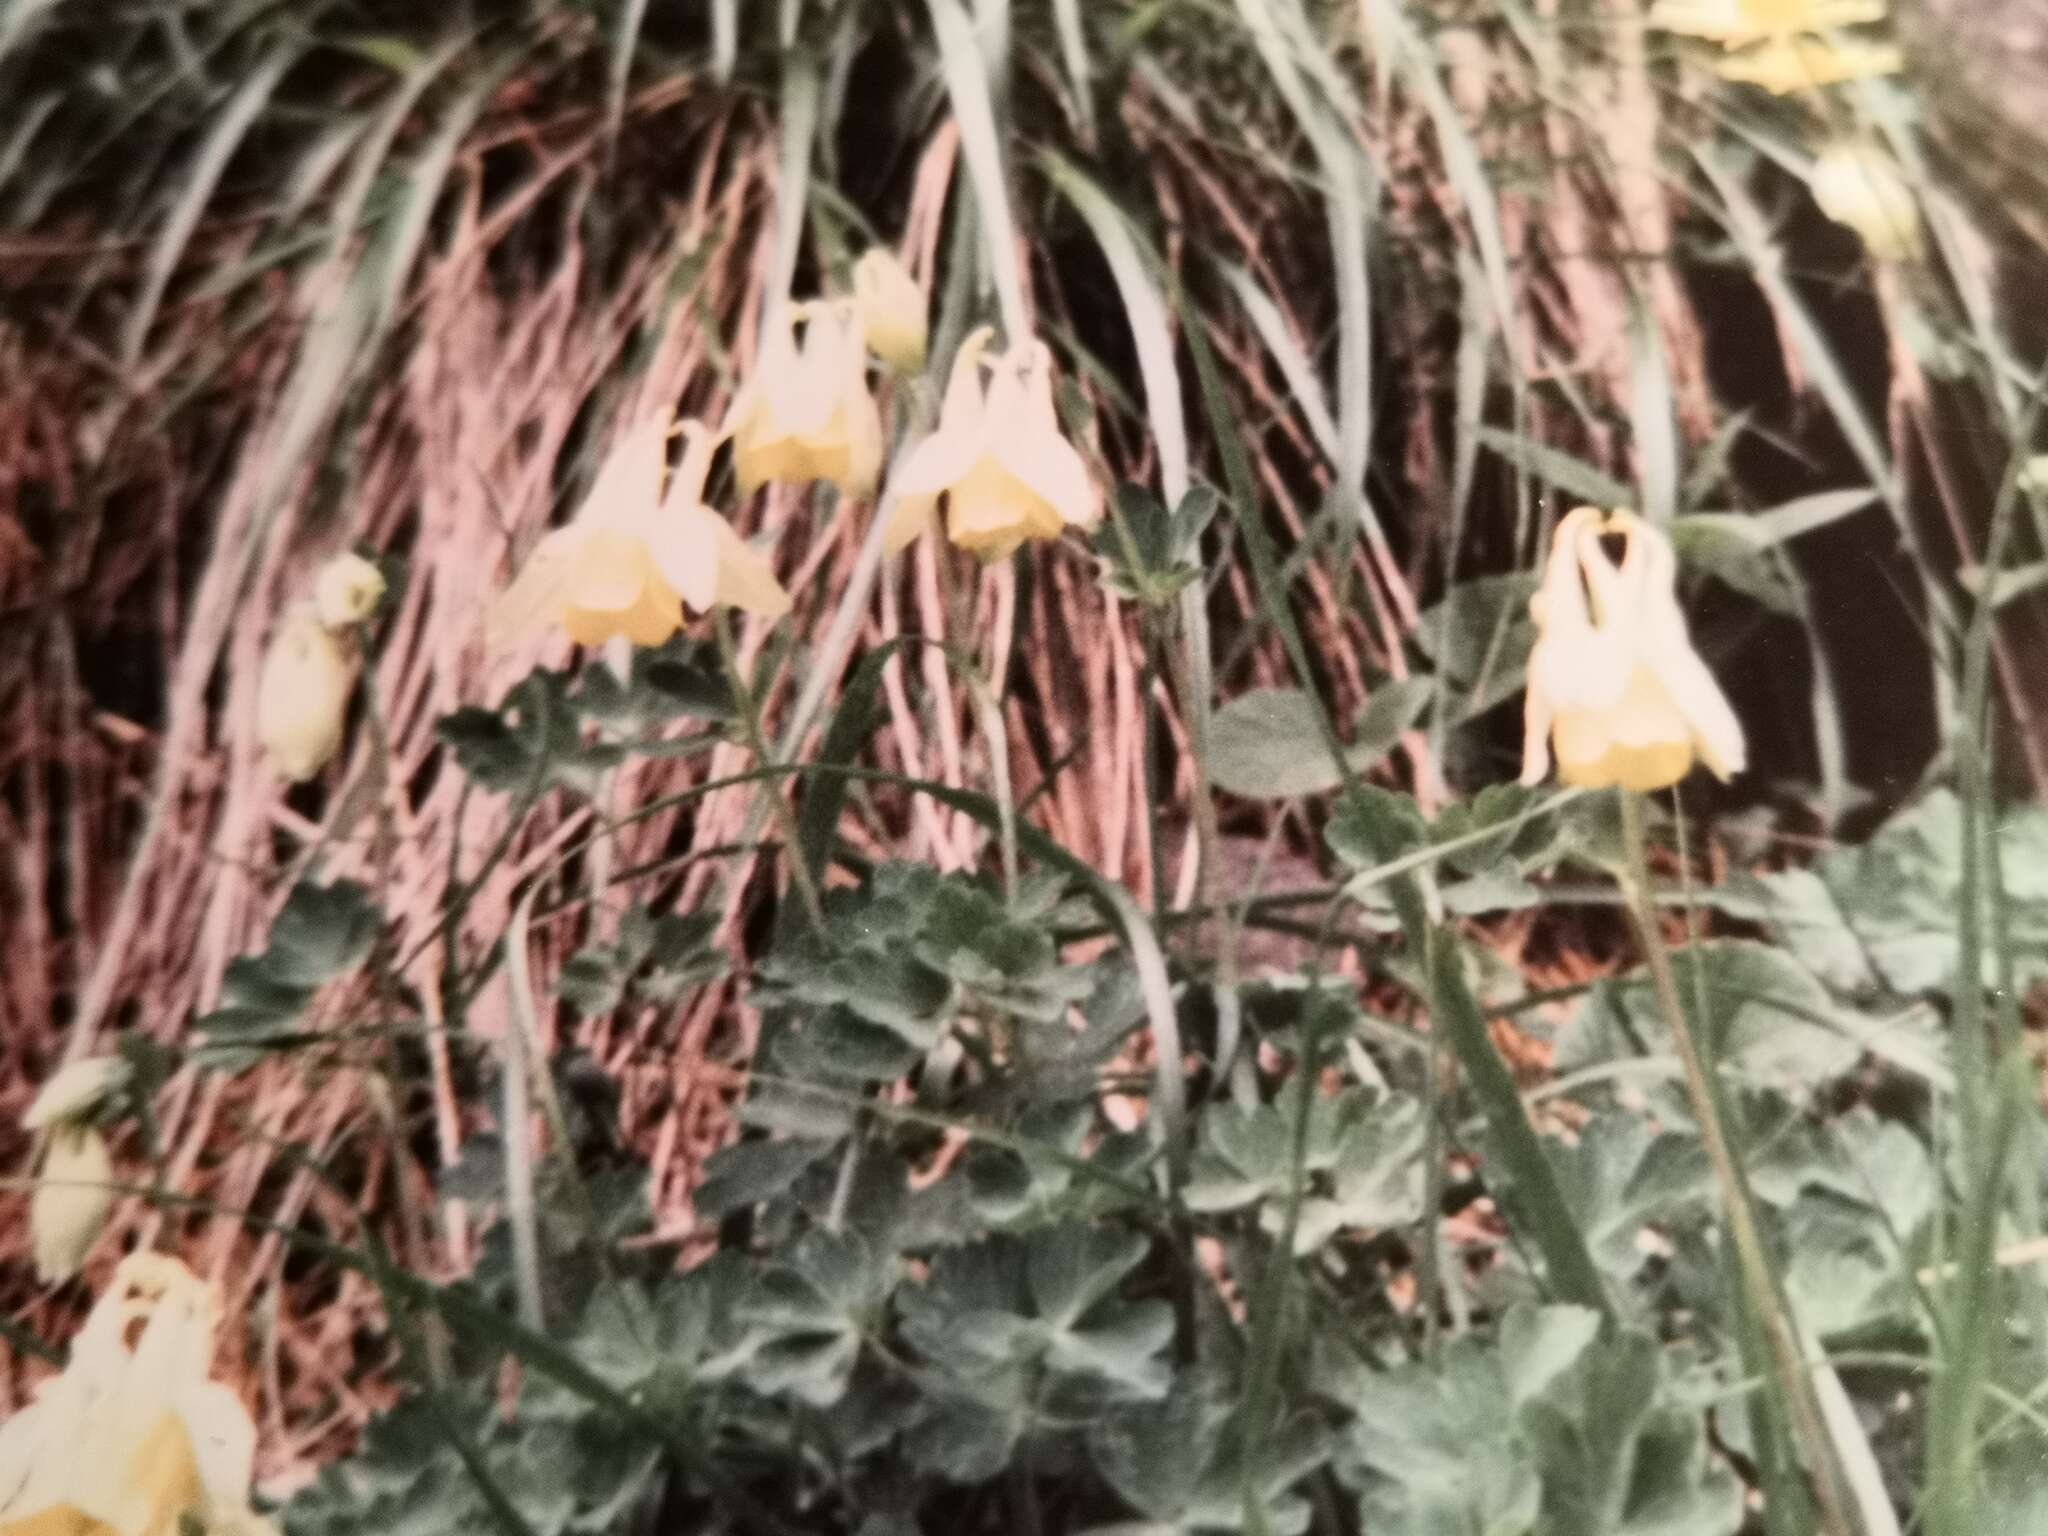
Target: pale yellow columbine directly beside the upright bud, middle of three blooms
(808,415)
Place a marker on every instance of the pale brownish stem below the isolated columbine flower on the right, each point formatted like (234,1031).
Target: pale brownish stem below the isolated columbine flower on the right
(1789,1359)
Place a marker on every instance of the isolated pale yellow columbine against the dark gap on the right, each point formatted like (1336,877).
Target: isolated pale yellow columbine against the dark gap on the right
(1615,685)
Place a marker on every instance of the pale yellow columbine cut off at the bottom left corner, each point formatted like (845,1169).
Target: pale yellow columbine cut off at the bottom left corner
(134,1439)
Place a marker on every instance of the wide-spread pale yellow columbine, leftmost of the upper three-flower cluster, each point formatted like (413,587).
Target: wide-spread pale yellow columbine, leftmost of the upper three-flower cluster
(632,560)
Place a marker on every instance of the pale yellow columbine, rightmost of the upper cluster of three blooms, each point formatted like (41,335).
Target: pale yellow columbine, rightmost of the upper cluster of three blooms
(998,458)
